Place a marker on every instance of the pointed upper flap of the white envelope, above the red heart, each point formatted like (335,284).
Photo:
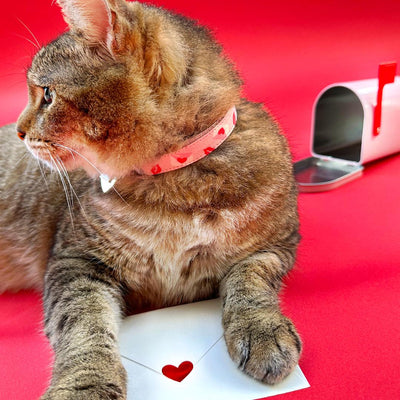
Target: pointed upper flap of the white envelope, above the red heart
(171,335)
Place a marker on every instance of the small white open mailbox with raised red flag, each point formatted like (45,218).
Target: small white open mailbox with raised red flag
(352,123)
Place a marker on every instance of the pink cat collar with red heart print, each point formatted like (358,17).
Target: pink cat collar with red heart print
(197,148)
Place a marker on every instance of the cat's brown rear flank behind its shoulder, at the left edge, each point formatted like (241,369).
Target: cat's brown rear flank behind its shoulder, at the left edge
(29,200)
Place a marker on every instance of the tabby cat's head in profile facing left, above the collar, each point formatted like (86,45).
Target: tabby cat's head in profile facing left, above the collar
(126,84)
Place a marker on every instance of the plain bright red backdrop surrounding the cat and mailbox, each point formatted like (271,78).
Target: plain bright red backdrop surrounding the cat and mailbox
(344,295)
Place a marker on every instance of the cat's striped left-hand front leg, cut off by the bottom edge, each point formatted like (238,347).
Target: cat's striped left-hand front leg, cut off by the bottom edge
(82,314)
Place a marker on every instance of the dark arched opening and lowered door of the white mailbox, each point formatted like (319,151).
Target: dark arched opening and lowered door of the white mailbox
(336,144)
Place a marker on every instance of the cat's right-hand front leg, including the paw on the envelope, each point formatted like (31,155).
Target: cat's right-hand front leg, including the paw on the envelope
(260,340)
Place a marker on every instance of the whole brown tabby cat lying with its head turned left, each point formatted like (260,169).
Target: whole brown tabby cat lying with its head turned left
(127,85)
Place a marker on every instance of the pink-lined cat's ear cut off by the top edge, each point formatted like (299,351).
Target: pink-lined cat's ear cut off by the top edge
(95,19)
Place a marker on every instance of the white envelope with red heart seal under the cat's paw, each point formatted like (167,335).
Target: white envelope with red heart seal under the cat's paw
(190,334)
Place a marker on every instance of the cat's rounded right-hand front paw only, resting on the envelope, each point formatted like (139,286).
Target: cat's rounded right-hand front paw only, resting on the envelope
(264,345)
